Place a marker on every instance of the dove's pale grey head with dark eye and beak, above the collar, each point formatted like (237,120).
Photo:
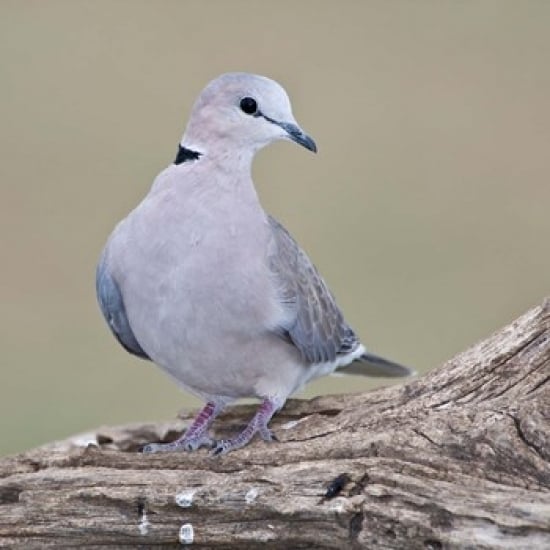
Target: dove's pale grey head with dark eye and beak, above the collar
(242,112)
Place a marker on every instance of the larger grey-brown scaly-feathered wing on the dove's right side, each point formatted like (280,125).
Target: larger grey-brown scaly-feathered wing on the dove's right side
(312,321)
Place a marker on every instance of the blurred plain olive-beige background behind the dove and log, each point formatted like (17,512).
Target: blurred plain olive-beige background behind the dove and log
(426,209)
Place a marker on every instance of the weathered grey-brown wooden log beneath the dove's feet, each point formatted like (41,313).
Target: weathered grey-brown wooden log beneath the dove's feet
(459,458)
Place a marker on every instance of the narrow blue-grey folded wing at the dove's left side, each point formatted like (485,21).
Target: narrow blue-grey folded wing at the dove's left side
(112,305)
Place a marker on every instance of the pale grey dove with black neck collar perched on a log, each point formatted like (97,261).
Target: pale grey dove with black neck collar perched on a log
(200,280)
